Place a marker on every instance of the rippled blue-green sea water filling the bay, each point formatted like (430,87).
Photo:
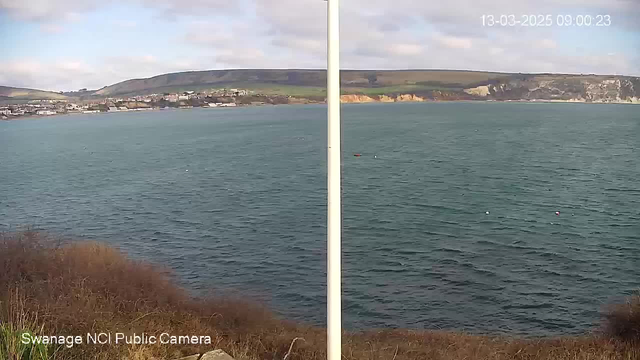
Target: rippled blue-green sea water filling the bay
(235,199)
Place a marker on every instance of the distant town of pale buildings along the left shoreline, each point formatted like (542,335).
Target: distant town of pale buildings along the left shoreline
(188,99)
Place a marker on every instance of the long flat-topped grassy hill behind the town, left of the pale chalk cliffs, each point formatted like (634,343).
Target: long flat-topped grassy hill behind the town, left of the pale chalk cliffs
(301,82)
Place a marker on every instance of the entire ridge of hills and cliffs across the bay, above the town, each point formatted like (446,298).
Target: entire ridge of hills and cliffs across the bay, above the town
(311,84)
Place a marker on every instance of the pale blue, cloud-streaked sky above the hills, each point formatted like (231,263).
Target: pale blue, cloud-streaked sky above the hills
(66,45)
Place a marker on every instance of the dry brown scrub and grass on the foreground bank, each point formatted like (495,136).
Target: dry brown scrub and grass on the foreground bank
(76,288)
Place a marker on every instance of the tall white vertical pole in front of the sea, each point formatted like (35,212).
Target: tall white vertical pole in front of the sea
(334,214)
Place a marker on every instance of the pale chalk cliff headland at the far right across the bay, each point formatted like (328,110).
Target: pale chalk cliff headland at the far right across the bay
(601,89)
